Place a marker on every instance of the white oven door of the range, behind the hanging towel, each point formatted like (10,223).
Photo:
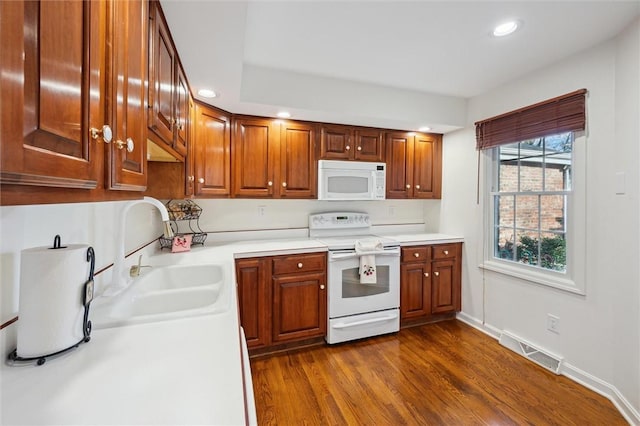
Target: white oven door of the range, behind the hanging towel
(347,296)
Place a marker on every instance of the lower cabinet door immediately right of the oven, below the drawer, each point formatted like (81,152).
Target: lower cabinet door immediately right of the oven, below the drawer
(415,290)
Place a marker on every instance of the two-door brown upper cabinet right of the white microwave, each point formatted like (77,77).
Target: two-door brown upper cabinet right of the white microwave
(414,165)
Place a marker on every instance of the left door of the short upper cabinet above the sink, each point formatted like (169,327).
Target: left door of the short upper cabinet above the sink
(161,78)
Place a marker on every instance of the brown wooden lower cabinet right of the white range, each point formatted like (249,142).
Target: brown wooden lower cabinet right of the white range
(430,281)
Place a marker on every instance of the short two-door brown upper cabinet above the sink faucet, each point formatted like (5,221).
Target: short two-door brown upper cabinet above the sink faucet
(168,88)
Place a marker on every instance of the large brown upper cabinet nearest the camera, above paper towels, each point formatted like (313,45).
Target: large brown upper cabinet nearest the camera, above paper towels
(65,73)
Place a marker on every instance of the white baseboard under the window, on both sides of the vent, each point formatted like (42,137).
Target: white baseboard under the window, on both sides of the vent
(583,378)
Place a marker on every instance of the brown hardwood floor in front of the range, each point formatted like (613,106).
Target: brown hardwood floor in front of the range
(445,373)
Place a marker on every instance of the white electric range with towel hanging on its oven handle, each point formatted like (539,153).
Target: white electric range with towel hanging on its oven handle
(359,304)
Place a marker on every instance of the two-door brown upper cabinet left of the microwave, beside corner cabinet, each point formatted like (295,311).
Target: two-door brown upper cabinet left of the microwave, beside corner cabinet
(273,159)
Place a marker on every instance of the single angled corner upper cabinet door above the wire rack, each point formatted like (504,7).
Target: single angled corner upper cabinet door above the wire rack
(212,160)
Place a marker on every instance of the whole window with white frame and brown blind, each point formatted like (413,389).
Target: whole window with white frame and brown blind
(536,195)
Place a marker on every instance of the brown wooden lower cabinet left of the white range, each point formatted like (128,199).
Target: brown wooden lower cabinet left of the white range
(282,298)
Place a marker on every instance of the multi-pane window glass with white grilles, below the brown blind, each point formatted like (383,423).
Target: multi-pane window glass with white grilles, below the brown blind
(530,197)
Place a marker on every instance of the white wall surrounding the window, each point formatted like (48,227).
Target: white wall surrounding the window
(599,332)
